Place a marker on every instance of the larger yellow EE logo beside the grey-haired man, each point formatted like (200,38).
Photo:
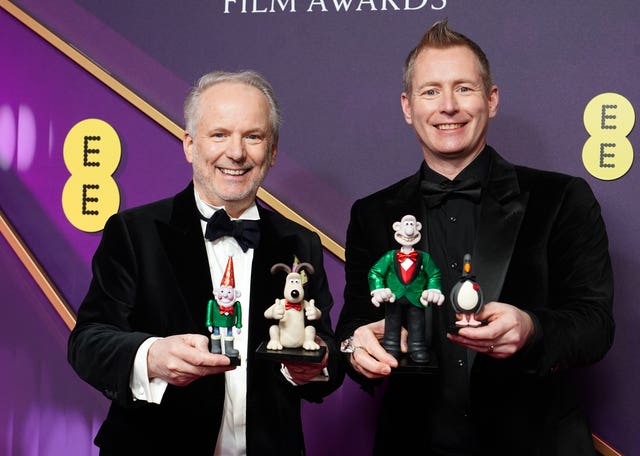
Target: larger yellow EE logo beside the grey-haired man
(92,152)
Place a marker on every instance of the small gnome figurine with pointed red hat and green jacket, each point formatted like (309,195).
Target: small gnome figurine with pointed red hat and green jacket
(225,311)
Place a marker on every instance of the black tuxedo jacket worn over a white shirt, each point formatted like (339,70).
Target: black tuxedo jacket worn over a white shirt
(151,278)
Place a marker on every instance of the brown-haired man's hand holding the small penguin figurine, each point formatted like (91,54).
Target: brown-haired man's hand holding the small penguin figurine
(509,330)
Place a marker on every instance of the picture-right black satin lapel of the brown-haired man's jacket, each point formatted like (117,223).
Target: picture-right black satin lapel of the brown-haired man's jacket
(501,215)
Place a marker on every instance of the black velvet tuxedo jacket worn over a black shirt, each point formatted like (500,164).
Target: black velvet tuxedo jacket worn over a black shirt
(541,245)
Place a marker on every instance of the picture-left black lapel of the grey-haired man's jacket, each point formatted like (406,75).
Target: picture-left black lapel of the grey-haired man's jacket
(183,241)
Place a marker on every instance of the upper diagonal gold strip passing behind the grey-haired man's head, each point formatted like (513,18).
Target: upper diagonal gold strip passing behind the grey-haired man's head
(102,75)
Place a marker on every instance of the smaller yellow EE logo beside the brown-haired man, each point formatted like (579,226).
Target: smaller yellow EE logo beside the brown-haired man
(608,154)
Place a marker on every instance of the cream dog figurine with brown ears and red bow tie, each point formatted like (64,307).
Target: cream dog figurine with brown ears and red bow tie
(290,311)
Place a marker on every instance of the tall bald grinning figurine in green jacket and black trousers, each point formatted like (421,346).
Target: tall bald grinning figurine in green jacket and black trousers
(408,281)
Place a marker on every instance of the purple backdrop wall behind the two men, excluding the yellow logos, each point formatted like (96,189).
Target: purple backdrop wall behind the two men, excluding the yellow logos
(337,74)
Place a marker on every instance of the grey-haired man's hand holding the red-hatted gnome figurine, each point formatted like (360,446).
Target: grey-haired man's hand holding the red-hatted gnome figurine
(181,359)
